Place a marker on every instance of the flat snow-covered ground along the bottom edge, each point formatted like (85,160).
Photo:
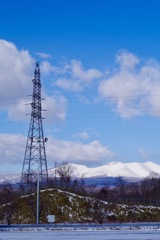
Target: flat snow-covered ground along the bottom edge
(82,235)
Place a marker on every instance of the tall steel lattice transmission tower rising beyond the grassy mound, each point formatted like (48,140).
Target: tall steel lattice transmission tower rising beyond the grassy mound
(35,164)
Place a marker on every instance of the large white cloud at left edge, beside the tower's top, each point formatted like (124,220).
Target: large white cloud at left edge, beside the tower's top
(16,69)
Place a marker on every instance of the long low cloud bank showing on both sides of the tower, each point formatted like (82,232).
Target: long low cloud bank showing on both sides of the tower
(13,148)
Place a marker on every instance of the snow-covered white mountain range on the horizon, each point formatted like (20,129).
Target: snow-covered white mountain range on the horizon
(111,169)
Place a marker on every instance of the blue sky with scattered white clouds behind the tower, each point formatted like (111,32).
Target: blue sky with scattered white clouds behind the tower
(100,71)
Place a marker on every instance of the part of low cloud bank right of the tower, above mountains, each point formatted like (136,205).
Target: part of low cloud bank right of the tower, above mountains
(77,152)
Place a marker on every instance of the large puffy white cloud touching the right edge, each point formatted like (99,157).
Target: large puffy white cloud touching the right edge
(133,87)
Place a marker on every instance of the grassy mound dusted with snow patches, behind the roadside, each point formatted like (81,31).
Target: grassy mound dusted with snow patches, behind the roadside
(68,207)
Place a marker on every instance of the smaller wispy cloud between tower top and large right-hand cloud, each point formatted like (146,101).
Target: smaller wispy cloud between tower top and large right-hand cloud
(76,77)
